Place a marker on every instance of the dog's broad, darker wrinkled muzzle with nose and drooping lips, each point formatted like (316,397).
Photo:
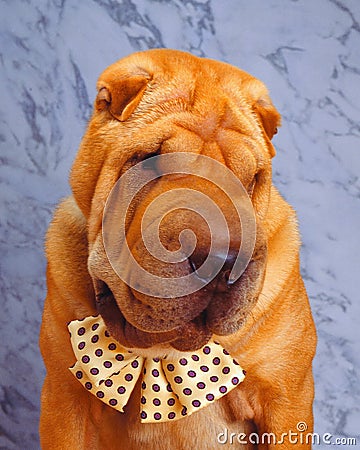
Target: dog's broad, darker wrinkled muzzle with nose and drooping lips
(171,278)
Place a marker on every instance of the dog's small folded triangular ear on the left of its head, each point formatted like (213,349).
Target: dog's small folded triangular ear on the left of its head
(120,95)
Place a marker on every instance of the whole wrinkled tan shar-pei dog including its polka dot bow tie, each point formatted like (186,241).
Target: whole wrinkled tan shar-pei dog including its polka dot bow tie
(176,316)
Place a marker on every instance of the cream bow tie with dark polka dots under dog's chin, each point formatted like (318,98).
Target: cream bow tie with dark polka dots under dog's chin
(170,388)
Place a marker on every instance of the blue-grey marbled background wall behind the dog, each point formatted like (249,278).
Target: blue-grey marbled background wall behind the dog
(307,52)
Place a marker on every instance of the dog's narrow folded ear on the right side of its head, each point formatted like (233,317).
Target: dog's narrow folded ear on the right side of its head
(263,107)
